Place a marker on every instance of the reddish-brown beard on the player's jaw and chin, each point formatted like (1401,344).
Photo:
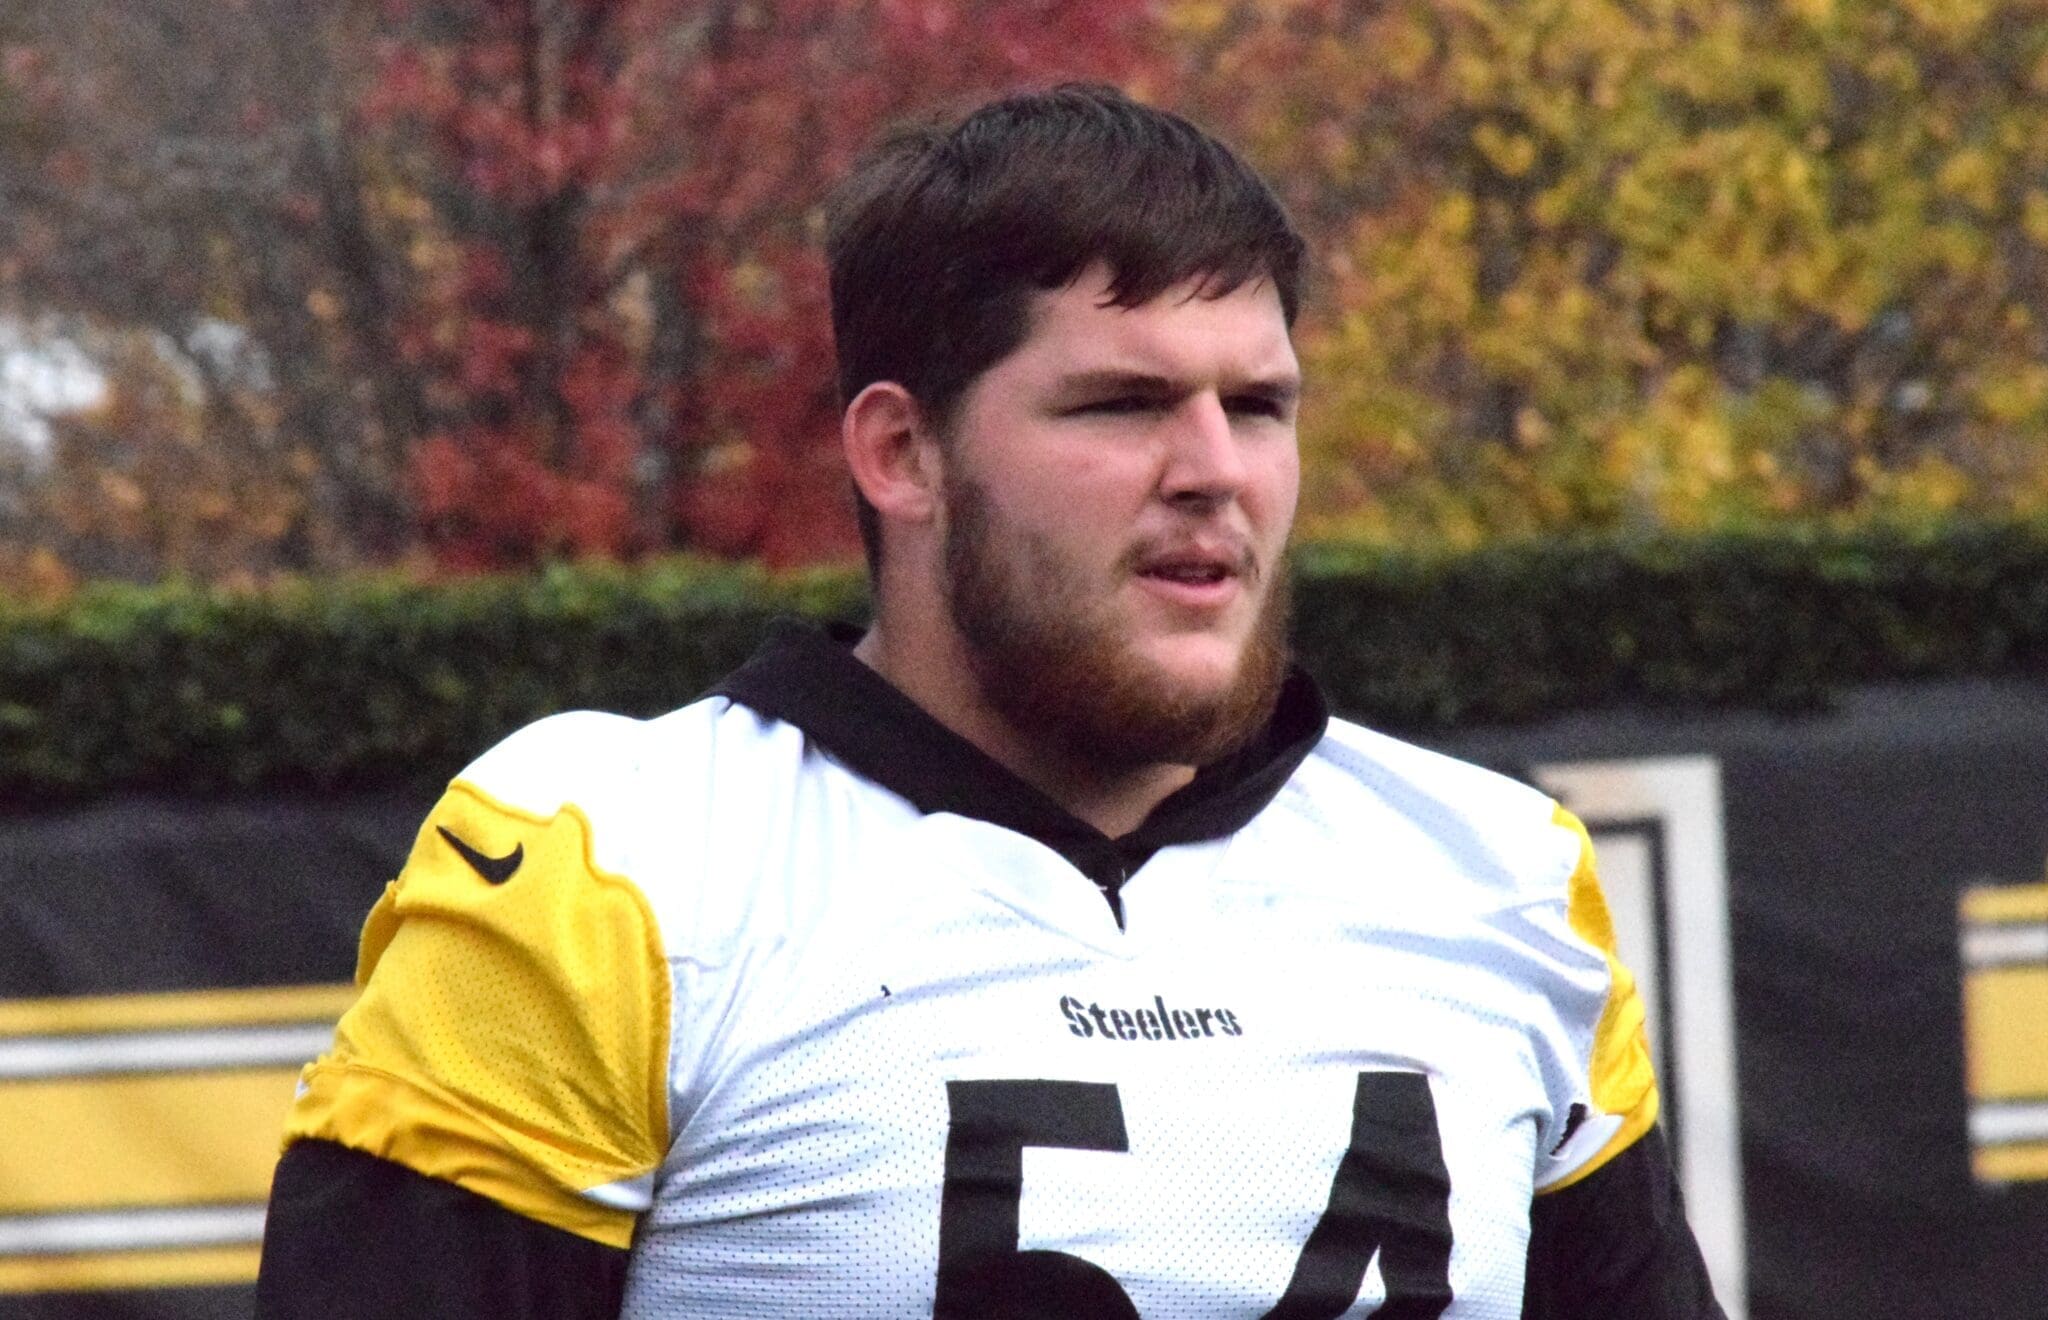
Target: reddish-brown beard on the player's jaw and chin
(1052,656)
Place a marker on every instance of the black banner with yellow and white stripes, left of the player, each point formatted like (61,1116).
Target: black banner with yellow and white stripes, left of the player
(167,971)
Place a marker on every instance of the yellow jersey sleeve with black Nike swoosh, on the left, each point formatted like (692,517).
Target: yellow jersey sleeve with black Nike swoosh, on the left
(513,1024)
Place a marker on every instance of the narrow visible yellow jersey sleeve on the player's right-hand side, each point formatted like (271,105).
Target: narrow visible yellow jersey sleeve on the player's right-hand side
(1621,1077)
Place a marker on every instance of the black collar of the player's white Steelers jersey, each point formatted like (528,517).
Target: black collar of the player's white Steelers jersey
(812,678)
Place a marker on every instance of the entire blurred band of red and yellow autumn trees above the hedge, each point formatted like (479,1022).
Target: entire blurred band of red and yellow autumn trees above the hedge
(484,283)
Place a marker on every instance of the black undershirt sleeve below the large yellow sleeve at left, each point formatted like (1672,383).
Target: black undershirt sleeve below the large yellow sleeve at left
(353,1235)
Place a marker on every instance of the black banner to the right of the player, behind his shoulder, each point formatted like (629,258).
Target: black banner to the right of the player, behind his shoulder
(1867,852)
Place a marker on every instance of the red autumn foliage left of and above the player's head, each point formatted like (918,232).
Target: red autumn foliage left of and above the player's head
(630,345)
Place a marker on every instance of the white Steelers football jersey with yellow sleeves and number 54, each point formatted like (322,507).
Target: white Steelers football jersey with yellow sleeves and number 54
(779,994)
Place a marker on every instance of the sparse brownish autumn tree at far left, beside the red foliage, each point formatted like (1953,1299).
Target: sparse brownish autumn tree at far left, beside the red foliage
(185,177)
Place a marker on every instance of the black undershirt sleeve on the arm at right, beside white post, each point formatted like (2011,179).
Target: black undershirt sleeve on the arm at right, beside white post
(1617,1245)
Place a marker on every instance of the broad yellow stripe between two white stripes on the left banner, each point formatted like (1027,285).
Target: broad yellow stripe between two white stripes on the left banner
(175,1139)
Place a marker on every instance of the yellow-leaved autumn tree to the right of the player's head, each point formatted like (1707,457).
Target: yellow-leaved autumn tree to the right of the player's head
(1682,263)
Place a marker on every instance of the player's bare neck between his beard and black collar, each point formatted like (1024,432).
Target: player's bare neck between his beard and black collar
(935,672)
